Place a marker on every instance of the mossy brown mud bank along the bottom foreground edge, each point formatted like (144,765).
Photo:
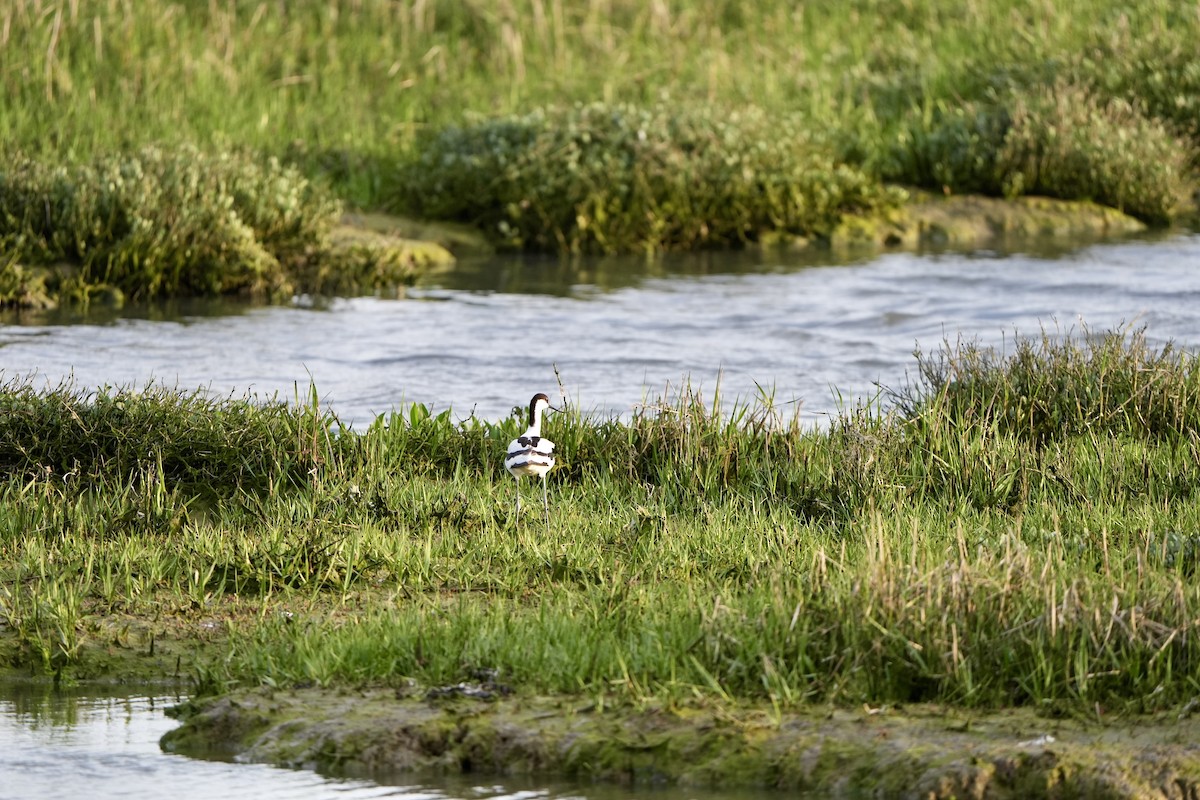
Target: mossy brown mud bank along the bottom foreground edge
(916,751)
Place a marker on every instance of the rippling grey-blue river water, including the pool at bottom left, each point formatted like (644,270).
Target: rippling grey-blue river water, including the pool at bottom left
(483,339)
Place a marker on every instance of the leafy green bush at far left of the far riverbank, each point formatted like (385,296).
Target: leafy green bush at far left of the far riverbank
(157,224)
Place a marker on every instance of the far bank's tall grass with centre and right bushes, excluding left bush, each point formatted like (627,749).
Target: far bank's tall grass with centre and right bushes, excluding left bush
(617,127)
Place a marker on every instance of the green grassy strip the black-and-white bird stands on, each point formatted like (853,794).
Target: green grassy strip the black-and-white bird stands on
(1017,531)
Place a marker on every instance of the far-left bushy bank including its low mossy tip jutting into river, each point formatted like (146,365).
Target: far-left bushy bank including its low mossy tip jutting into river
(154,225)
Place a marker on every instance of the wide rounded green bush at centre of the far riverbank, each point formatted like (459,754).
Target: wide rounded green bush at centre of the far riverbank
(621,178)
